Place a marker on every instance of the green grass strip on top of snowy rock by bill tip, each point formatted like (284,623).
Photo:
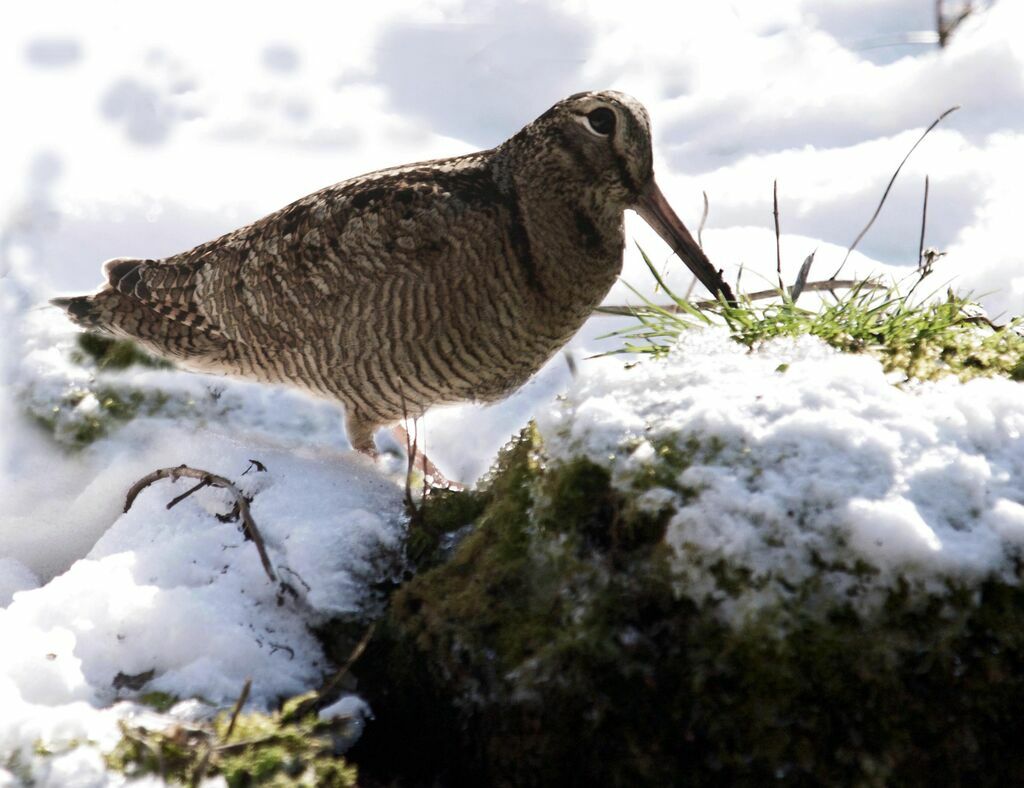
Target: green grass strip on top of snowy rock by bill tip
(922,340)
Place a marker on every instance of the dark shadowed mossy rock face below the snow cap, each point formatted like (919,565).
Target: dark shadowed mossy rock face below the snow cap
(553,648)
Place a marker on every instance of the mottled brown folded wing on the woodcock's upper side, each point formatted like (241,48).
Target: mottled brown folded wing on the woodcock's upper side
(333,255)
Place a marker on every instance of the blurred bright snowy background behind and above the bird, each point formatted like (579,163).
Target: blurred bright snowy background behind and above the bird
(145,130)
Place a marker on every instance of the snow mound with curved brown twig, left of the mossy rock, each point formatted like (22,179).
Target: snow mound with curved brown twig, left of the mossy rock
(177,601)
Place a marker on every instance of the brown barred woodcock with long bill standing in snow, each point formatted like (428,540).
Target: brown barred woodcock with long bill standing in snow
(442,282)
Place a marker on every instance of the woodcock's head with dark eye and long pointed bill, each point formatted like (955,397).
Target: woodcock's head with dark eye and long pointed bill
(601,144)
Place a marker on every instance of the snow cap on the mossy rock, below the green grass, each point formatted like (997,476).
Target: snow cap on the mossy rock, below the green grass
(803,477)
